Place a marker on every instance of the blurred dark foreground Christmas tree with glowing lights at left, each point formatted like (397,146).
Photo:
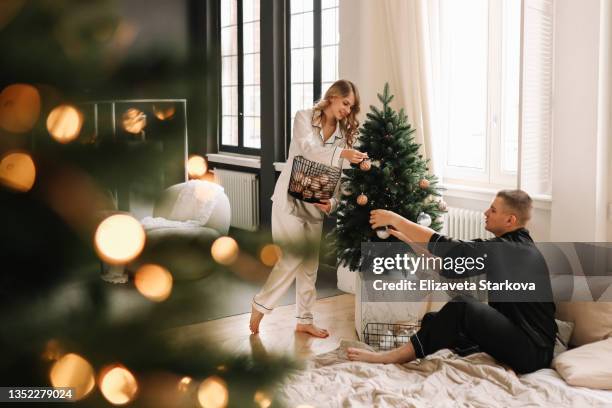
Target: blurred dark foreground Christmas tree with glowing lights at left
(60,323)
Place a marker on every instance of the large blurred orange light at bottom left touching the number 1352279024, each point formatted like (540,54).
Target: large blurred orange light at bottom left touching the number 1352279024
(73,370)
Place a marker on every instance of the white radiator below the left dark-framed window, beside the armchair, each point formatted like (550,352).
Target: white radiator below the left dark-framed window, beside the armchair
(242,189)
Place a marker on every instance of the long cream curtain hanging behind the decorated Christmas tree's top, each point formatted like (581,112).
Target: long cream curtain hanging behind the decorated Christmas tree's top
(395,41)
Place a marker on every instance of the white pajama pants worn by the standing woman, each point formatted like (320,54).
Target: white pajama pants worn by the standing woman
(289,231)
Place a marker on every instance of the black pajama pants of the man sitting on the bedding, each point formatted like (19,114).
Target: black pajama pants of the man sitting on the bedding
(467,326)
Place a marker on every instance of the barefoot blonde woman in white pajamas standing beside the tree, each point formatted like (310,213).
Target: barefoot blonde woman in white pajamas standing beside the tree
(324,134)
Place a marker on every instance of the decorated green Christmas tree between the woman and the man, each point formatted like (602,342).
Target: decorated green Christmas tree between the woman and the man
(396,178)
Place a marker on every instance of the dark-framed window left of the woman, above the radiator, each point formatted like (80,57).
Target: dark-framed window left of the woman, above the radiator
(240,84)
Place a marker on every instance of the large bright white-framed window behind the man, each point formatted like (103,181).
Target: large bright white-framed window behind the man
(480,83)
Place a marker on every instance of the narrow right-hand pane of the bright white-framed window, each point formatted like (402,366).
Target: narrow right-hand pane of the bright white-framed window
(511,51)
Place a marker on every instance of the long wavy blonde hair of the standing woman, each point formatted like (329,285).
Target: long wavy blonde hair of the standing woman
(348,125)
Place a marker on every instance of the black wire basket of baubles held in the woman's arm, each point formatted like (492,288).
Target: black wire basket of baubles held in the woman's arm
(311,181)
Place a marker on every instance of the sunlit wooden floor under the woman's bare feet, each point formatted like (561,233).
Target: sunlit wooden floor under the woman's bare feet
(277,334)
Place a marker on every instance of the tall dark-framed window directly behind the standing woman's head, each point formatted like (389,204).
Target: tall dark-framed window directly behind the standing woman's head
(313,52)
